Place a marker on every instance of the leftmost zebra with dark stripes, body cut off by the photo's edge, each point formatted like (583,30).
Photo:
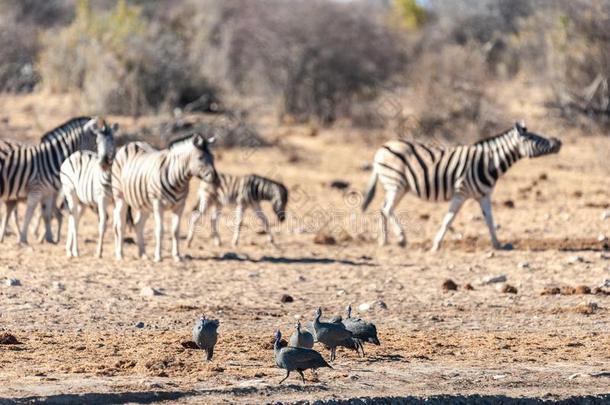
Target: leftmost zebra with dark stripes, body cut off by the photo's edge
(31,172)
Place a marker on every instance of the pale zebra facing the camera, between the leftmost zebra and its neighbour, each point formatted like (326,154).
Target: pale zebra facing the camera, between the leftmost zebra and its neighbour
(86,180)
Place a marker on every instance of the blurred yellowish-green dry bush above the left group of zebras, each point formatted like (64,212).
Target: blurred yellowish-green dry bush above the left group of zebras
(122,63)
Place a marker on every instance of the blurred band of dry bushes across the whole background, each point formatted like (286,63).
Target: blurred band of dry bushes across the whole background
(364,63)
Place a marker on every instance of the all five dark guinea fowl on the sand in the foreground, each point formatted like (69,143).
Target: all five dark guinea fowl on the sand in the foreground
(299,355)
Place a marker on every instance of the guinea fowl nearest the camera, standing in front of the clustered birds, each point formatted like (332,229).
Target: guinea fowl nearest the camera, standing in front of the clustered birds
(296,358)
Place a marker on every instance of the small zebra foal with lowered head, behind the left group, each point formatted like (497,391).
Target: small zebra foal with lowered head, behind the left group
(243,192)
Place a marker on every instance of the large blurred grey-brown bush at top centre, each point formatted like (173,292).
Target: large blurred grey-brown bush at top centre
(317,56)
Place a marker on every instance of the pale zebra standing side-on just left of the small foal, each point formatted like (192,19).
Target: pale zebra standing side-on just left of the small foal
(146,179)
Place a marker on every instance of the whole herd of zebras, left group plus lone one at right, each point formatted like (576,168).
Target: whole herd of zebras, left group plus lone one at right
(77,160)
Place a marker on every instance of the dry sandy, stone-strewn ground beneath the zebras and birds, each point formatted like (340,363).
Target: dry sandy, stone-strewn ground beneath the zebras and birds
(75,318)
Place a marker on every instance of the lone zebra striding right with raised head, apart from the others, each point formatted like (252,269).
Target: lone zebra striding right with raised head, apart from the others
(450,174)
